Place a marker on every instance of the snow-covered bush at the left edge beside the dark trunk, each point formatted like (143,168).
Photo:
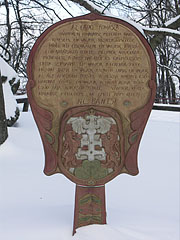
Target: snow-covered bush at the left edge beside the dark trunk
(11,83)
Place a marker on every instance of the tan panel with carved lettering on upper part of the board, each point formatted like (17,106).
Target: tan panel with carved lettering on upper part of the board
(92,63)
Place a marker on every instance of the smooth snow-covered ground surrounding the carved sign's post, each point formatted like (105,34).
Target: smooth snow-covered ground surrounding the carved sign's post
(36,207)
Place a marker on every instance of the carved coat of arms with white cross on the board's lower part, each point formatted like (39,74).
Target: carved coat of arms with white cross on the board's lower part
(90,149)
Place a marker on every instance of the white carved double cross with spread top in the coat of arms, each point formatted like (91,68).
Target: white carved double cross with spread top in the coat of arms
(91,127)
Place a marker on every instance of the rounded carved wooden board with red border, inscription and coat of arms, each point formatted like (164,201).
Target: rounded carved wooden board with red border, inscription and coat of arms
(91,88)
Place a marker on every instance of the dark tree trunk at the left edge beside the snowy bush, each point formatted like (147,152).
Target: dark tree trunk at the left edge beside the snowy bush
(3,121)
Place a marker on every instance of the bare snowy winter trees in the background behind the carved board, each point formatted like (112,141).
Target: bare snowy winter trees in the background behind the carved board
(22,22)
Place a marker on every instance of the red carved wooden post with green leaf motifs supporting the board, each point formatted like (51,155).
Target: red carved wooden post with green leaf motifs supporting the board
(90,206)
